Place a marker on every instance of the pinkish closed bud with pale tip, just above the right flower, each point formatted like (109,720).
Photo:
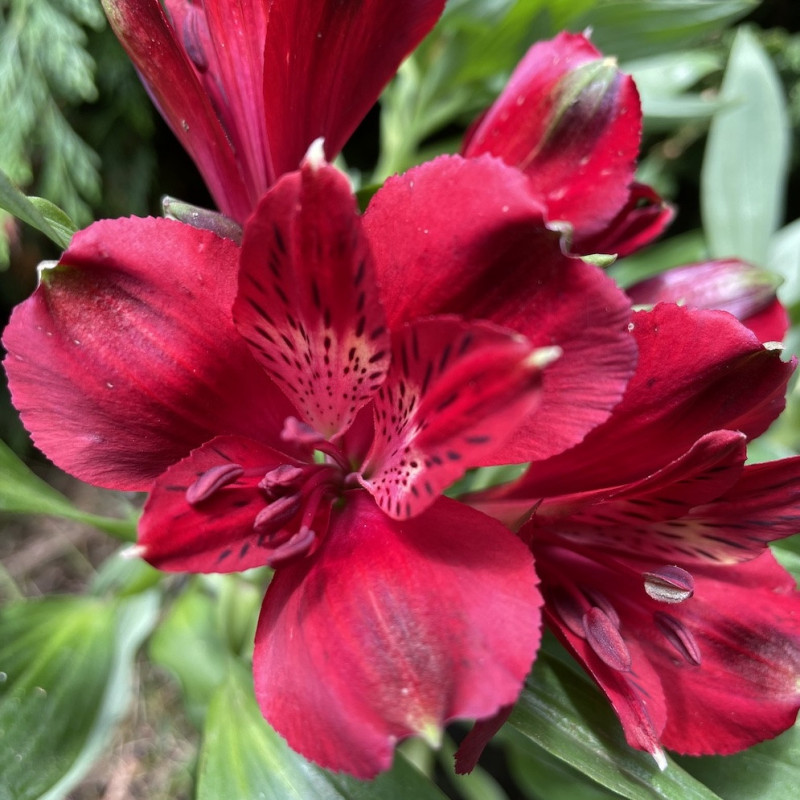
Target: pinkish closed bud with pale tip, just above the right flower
(744,290)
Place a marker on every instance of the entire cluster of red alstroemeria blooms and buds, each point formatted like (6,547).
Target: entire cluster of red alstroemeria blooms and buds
(296,384)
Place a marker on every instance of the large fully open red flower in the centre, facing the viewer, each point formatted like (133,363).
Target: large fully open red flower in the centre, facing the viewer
(158,356)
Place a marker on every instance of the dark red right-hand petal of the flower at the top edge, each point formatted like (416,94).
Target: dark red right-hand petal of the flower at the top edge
(326,63)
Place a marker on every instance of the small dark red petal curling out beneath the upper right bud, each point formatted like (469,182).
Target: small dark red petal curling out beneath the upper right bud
(643,218)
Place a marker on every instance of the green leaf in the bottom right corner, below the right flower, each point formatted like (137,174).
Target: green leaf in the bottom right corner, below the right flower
(768,771)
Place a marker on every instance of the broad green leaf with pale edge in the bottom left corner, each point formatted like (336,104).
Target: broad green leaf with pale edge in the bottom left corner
(66,682)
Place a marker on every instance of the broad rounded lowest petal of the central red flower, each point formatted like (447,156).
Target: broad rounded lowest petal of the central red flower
(392,630)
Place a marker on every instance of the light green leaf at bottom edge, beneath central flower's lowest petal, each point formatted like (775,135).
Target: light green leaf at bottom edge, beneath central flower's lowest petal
(242,758)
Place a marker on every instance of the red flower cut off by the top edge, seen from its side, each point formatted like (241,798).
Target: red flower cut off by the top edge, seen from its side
(247,86)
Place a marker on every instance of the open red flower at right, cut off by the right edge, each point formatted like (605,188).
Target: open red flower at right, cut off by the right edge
(650,543)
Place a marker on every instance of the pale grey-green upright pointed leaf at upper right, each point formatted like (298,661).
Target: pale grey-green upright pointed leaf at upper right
(743,179)
